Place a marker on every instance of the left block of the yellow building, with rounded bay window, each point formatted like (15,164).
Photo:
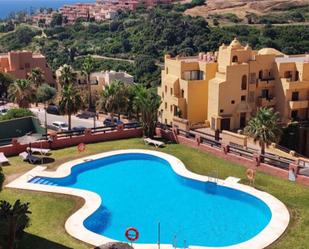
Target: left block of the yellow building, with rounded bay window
(184,89)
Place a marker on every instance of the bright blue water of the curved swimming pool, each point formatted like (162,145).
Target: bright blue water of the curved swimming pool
(140,190)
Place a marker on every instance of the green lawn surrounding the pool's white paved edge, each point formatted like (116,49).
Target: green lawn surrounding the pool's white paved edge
(50,211)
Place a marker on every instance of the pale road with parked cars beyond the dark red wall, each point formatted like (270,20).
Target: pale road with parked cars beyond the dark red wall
(88,123)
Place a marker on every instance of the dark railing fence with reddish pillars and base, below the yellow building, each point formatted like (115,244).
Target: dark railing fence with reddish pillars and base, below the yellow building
(270,163)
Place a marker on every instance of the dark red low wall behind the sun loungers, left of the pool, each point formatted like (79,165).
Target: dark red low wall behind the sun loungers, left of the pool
(58,142)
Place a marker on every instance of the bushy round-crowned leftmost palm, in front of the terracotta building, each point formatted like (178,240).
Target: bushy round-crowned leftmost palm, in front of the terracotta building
(22,93)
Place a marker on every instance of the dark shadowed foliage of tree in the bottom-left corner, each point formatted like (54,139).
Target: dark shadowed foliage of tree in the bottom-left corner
(13,220)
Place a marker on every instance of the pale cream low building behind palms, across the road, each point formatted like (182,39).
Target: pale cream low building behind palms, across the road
(98,80)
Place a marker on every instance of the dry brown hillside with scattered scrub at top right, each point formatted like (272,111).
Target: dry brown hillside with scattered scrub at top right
(259,11)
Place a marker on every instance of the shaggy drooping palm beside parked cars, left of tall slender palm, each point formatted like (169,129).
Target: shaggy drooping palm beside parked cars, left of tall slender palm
(70,102)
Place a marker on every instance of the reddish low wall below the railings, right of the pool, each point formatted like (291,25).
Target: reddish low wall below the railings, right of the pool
(224,153)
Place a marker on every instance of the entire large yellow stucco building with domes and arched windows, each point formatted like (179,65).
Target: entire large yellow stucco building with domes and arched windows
(224,89)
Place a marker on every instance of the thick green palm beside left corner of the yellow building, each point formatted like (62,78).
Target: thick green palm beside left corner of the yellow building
(148,101)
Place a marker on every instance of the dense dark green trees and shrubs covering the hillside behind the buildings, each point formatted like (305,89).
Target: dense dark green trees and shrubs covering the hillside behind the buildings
(149,34)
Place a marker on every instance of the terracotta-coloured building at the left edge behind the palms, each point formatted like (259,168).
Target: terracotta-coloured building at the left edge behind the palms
(20,63)
